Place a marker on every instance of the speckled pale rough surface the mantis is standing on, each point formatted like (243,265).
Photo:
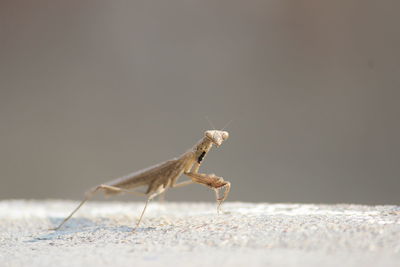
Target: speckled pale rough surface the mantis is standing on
(192,234)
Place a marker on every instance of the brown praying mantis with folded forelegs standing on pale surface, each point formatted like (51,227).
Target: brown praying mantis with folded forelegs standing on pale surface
(160,177)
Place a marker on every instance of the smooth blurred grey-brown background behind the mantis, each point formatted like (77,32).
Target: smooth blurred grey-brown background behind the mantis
(92,90)
